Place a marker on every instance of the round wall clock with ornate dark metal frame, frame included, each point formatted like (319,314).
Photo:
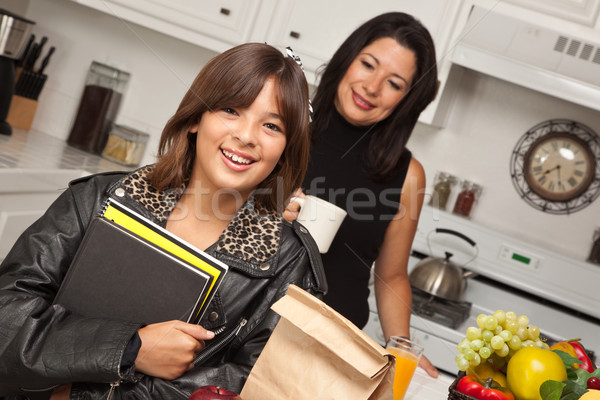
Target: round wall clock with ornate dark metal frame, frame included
(555,166)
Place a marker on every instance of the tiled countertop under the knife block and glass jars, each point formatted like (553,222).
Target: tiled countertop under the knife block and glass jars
(34,150)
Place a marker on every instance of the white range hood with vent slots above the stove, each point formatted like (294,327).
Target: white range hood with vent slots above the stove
(532,56)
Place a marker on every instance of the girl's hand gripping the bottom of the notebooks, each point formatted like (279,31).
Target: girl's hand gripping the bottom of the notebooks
(169,348)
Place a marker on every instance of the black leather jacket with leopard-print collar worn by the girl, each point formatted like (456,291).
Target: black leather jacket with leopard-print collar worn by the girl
(43,345)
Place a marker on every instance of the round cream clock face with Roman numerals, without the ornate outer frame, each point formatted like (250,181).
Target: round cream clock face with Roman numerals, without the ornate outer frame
(559,166)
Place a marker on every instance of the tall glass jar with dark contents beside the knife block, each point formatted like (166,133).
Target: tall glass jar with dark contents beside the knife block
(98,107)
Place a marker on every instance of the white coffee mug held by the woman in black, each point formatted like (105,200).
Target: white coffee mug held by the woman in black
(321,218)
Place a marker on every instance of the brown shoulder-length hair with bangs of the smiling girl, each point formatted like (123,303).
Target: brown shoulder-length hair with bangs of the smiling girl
(234,79)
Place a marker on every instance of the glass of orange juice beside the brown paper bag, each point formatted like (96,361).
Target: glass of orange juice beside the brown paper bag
(407,355)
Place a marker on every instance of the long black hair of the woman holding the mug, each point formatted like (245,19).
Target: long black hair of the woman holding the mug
(389,137)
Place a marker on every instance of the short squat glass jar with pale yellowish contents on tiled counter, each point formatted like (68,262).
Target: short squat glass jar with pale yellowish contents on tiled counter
(125,145)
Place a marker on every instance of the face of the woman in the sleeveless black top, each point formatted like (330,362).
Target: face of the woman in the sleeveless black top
(376,81)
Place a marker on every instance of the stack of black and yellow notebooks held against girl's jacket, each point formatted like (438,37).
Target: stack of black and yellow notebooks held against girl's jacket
(120,274)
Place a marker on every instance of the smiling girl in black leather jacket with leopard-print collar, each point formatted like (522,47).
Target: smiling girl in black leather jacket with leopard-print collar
(236,146)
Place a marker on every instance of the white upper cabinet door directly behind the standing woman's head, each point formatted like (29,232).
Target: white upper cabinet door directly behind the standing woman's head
(314,29)
